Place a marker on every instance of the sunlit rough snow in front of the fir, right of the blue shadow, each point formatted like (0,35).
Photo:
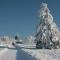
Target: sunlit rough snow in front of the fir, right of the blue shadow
(43,54)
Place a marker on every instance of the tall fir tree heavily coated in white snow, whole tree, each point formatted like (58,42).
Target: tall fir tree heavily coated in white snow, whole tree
(48,35)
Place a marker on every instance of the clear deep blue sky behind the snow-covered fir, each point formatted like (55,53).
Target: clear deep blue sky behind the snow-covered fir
(20,16)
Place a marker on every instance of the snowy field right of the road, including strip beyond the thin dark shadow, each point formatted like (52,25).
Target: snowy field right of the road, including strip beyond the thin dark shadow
(41,54)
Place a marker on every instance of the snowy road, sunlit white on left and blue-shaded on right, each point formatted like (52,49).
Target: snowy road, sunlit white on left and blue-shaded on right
(16,54)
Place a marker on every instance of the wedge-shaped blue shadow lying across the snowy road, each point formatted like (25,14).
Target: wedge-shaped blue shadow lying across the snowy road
(22,55)
